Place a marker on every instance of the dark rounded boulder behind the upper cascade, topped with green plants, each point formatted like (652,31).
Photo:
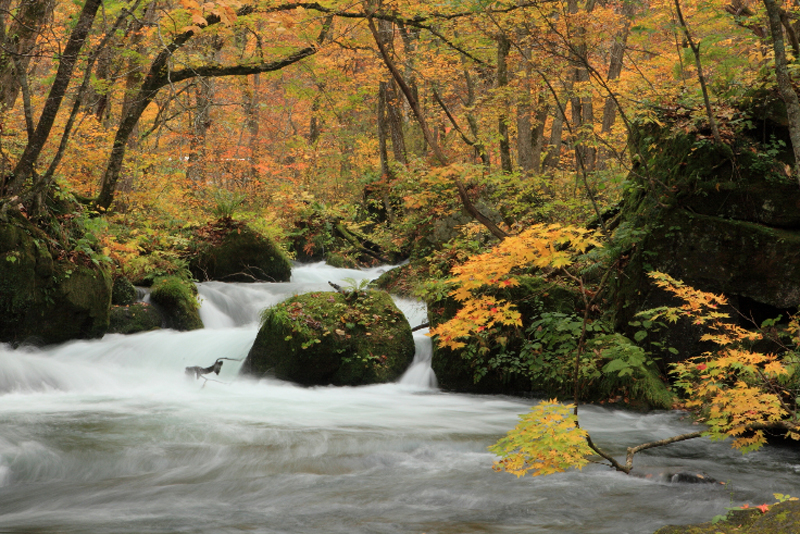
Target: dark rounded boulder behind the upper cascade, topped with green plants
(230,251)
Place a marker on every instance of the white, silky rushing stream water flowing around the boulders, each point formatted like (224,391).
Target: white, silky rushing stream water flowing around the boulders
(109,436)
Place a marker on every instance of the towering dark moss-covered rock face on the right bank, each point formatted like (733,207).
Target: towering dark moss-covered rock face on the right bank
(721,218)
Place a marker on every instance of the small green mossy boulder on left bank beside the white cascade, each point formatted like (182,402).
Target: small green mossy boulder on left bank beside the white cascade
(177,300)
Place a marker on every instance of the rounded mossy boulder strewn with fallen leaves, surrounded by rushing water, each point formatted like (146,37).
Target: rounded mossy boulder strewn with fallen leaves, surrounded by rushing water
(325,338)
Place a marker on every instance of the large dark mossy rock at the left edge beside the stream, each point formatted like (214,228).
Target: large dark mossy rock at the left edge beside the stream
(47,299)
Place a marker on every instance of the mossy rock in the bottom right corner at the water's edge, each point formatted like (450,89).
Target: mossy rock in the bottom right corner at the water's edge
(783,518)
